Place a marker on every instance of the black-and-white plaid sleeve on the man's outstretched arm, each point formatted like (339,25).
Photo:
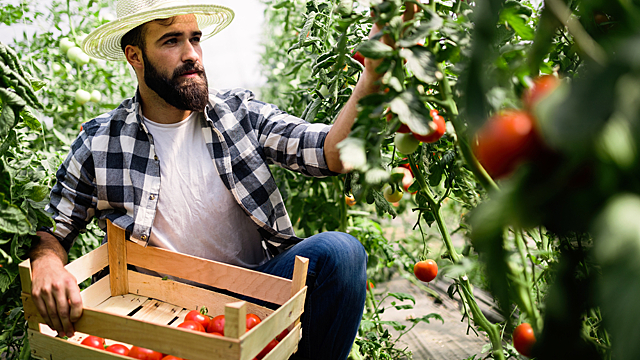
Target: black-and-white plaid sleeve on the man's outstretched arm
(289,141)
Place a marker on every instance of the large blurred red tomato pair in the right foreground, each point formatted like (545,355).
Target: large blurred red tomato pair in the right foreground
(510,138)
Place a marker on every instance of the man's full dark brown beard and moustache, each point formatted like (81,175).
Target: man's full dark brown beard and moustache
(184,94)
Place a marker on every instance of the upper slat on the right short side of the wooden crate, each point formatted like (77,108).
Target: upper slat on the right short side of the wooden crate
(255,340)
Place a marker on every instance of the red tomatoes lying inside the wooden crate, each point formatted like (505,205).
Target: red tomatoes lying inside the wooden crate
(194,321)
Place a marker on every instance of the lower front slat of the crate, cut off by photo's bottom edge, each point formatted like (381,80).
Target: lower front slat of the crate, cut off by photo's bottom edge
(51,348)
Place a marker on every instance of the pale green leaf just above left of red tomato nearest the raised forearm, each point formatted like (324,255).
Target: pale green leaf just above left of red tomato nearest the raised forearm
(412,111)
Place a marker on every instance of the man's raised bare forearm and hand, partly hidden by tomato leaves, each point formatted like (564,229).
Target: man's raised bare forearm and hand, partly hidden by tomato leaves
(367,84)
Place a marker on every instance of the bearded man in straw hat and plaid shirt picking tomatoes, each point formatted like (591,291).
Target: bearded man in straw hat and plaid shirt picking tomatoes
(184,168)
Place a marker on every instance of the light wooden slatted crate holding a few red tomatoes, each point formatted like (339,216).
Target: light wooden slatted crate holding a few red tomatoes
(142,310)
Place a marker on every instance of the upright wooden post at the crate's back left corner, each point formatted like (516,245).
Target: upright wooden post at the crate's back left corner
(117,259)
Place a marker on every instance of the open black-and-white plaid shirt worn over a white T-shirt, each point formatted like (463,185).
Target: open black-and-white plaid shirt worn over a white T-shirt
(112,171)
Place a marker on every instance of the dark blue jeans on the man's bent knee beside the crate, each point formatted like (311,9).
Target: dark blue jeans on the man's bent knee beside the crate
(336,283)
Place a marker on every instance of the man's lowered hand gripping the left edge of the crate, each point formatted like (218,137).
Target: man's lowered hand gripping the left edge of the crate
(55,291)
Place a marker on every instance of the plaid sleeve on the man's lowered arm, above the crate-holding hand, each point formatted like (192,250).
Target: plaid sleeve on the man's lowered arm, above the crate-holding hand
(73,197)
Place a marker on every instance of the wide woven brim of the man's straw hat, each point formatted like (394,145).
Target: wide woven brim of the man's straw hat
(104,42)
